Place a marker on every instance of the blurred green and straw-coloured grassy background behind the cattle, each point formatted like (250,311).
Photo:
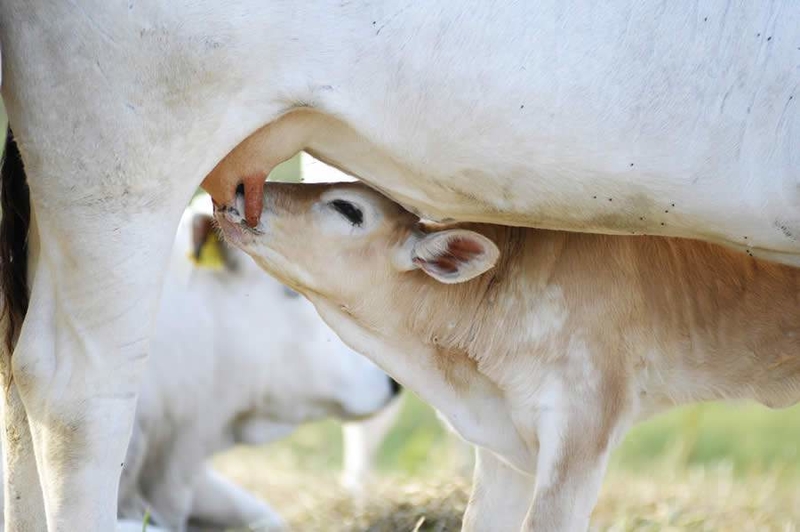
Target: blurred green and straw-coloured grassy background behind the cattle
(703,467)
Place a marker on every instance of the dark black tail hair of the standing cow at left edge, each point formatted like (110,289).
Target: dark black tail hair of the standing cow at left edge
(14,225)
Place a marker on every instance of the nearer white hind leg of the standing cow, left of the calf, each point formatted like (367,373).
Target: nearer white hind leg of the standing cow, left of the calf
(82,349)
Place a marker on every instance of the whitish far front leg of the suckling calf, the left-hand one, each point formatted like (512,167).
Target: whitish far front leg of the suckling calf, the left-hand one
(501,496)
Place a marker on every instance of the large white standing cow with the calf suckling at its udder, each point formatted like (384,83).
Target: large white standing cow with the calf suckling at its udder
(638,116)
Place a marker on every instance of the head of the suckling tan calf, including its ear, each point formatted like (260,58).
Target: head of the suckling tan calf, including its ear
(342,241)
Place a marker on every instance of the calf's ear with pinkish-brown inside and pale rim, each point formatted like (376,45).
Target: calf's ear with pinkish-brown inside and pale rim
(454,255)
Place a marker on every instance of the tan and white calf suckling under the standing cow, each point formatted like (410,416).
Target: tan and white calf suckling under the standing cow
(540,347)
